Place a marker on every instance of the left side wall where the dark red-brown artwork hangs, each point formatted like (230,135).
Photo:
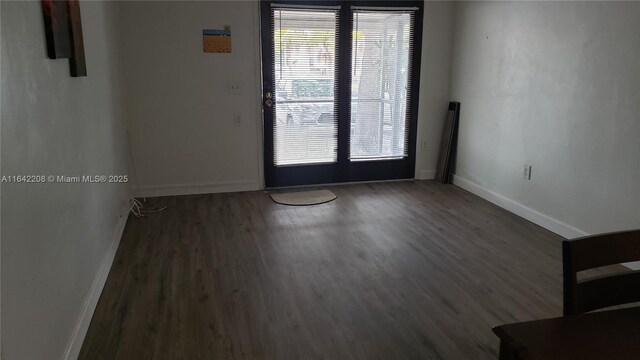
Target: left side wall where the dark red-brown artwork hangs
(56,236)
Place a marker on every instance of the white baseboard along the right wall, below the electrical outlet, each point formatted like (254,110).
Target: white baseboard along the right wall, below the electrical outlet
(565,230)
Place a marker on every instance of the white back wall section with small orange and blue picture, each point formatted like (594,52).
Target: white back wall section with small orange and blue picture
(182,117)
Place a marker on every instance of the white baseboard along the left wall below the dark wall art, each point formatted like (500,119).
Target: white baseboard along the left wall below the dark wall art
(90,303)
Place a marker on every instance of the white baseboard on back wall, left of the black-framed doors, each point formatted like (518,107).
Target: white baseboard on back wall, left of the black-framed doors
(195,188)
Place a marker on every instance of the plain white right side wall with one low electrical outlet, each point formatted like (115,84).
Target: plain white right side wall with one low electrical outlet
(555,85)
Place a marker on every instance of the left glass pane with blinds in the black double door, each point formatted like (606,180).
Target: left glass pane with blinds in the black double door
(305,122)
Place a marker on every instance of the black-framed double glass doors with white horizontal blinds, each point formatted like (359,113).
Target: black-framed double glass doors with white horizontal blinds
(337,96)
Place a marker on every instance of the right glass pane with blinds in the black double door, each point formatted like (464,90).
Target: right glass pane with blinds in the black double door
(381,55)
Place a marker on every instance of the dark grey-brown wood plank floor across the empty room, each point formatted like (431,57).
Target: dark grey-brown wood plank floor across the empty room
(400,270)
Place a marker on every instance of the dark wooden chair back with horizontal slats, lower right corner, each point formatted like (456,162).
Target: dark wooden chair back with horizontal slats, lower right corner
(594,251)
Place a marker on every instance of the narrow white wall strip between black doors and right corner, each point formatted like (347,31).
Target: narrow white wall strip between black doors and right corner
(435,77)
